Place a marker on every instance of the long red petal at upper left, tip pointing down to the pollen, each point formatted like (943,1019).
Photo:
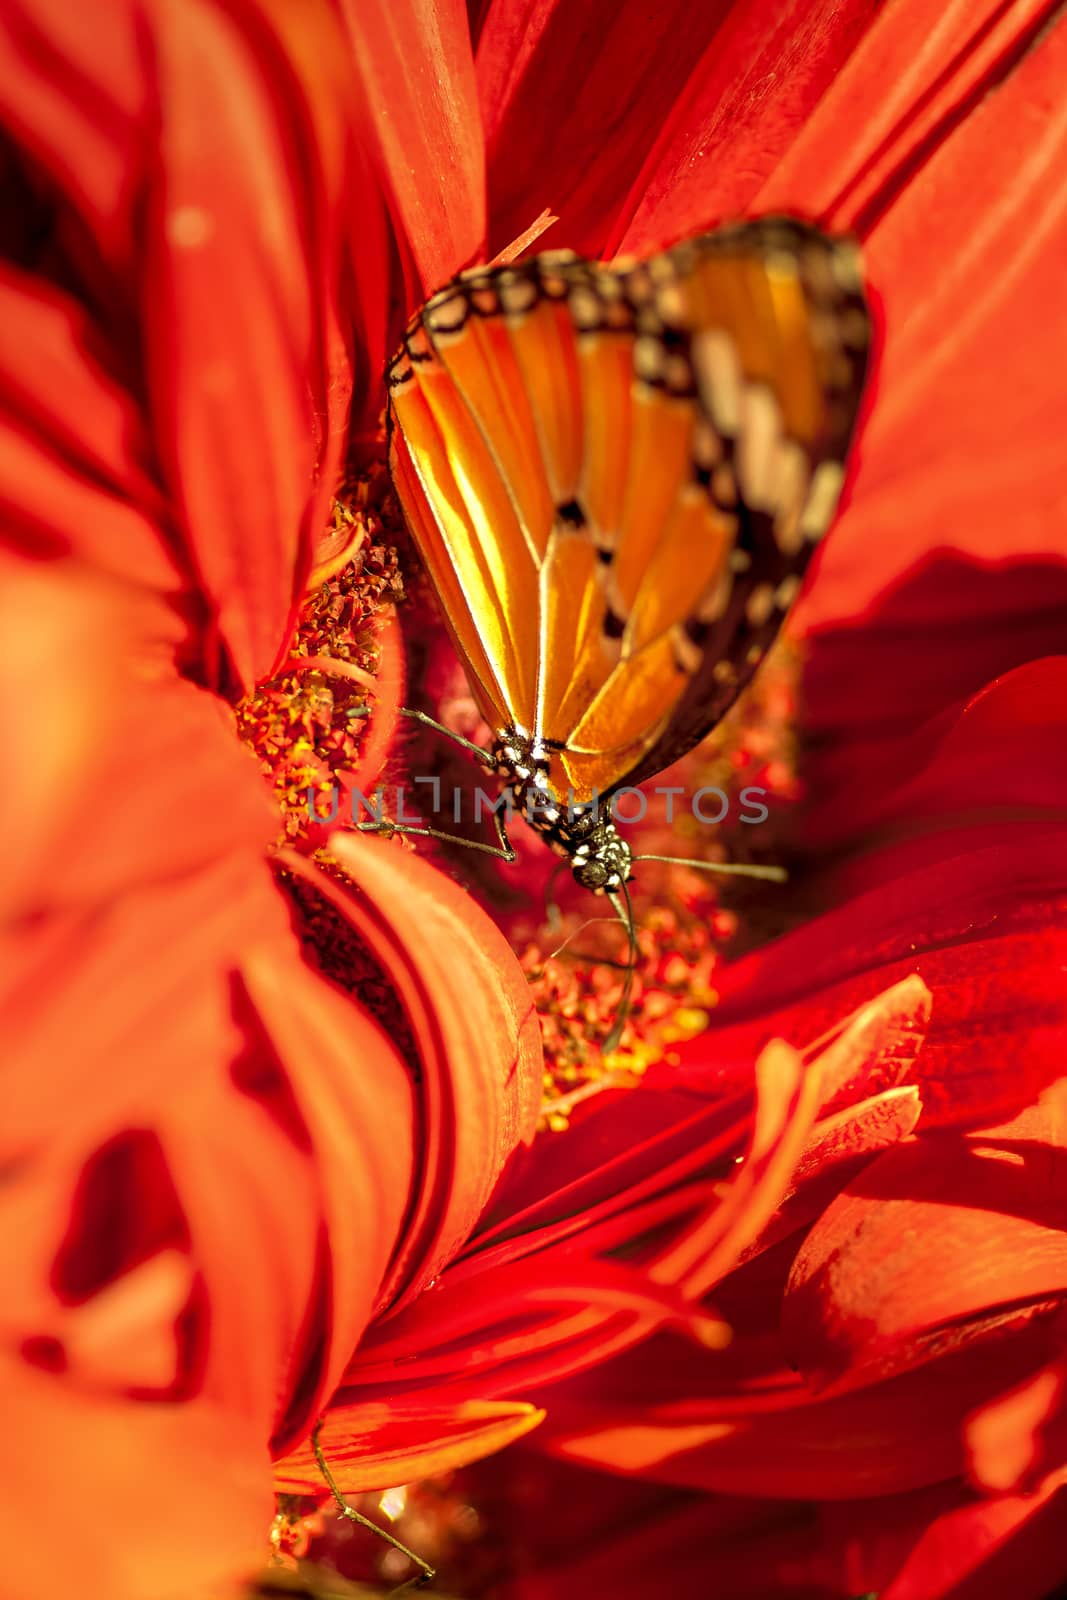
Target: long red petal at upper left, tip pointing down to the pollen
(241,268)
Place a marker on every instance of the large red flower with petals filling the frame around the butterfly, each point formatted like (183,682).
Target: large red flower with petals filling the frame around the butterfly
(252,1172)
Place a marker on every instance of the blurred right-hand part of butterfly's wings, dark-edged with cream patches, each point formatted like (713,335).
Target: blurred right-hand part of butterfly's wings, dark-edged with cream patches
(777,334)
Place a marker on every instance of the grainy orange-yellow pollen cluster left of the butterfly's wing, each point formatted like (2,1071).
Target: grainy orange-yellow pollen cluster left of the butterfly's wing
(306,724)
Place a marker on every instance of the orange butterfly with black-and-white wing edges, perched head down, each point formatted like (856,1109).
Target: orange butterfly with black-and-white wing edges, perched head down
(617,476)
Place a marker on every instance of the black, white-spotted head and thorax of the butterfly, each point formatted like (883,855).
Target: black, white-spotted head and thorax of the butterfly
(585,834)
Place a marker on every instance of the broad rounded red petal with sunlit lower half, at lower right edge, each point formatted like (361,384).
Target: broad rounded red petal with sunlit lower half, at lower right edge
(935,1244)
